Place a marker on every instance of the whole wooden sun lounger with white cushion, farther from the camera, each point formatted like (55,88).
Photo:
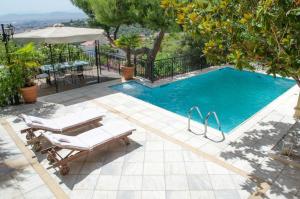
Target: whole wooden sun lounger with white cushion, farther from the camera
(66,123)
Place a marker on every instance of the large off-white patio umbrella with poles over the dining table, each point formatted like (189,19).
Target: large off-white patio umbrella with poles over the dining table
(59,34)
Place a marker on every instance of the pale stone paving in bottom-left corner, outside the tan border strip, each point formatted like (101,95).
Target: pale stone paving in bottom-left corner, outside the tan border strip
(18,179)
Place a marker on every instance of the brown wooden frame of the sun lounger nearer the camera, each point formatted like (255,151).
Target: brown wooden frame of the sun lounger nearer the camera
(61,162)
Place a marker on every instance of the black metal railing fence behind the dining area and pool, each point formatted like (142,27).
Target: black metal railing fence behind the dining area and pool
(113,61)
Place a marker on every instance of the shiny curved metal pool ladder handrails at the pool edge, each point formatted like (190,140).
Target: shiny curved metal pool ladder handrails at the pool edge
(204,122)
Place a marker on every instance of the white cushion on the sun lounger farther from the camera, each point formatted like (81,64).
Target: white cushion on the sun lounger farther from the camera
(63,123)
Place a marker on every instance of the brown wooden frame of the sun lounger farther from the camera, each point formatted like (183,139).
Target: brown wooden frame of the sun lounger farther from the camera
(34,140)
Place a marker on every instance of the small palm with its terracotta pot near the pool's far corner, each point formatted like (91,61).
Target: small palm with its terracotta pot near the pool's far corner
(128,43)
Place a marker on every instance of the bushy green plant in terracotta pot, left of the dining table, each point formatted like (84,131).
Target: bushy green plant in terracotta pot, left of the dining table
(27,60)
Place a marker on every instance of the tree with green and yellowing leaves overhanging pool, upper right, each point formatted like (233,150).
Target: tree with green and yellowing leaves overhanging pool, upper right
(245,32)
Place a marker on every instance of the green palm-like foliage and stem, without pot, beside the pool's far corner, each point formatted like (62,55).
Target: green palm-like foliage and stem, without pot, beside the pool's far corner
(128,43)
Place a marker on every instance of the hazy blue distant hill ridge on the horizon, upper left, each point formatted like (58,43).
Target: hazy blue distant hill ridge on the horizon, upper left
(54,16)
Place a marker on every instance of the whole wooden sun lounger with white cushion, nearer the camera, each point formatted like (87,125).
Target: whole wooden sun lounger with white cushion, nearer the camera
(84,143)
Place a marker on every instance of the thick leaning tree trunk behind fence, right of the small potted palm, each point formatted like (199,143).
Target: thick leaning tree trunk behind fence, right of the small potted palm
(153,52)
